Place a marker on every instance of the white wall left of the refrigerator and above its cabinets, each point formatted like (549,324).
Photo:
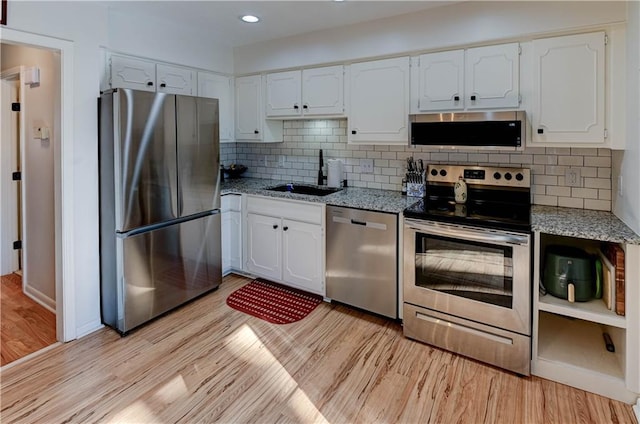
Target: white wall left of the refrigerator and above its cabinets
(90,26)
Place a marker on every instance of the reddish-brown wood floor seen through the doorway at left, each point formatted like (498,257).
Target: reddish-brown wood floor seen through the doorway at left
(26,325)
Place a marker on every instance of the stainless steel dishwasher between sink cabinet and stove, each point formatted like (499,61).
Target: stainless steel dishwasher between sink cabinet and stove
(362,262)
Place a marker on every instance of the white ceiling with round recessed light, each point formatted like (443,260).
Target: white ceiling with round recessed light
(220,19)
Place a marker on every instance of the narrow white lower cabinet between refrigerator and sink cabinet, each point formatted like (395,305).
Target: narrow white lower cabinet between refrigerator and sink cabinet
(231,233)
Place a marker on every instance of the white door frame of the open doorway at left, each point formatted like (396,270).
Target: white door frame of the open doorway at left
(63,180)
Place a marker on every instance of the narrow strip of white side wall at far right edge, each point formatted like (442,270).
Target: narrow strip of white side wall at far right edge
(627,205)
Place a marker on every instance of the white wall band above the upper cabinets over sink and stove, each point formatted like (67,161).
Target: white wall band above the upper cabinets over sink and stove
(441,28)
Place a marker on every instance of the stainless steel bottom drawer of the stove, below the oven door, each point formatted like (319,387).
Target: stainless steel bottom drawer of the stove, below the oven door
(498,347)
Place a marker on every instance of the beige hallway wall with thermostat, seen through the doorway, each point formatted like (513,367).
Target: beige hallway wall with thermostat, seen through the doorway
(38,174)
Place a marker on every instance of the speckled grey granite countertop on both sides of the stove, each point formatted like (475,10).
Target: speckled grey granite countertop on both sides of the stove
(579,223)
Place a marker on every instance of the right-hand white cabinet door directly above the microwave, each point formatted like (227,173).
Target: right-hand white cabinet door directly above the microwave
(492,77)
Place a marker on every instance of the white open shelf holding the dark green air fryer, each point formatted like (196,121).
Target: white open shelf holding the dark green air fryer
(593,310)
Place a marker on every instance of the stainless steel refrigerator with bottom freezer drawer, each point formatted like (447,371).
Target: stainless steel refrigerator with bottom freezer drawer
(159,203)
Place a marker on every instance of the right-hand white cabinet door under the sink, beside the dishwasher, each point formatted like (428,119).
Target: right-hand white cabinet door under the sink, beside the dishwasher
(302,256)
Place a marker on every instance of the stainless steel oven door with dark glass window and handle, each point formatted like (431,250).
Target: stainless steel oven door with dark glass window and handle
(482,275)
